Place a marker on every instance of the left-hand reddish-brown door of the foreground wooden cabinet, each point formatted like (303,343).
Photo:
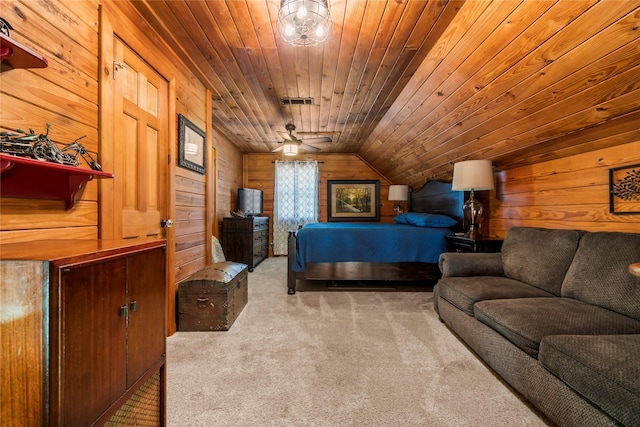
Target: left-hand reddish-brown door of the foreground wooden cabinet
(92,342)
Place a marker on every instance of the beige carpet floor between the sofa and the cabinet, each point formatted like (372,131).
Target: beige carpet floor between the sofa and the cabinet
(333,359)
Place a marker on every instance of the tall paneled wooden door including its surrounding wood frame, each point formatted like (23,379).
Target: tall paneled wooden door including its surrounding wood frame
(137,129)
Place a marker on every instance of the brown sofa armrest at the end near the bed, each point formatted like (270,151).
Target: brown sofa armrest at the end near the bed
(470,264)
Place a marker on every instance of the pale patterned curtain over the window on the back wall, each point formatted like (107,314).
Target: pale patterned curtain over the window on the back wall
(295,201)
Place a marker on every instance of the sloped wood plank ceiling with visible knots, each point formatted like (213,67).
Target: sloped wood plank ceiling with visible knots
(413,85)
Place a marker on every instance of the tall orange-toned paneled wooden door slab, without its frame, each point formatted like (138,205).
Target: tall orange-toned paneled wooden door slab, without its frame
(140,163)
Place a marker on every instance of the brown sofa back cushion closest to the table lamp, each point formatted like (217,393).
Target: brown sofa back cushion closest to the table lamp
(539,256)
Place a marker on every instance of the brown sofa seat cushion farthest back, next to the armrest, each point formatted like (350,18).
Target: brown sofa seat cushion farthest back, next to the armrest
(464,292)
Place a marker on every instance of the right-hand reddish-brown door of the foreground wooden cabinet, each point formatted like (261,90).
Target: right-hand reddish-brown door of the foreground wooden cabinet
(147,308)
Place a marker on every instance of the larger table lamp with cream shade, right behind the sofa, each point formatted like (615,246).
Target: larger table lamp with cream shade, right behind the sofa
(472,175)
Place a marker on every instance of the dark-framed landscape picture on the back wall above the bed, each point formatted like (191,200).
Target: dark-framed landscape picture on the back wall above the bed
(352,200)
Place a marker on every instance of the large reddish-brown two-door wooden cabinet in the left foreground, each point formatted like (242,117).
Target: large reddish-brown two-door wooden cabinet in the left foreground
(89,316)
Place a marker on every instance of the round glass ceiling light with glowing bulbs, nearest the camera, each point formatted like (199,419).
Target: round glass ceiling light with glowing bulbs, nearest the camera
(304,22)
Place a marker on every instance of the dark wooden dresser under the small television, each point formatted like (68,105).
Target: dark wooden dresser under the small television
(246,240)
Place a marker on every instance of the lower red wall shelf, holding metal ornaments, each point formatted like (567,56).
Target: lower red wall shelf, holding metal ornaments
(35,179)
